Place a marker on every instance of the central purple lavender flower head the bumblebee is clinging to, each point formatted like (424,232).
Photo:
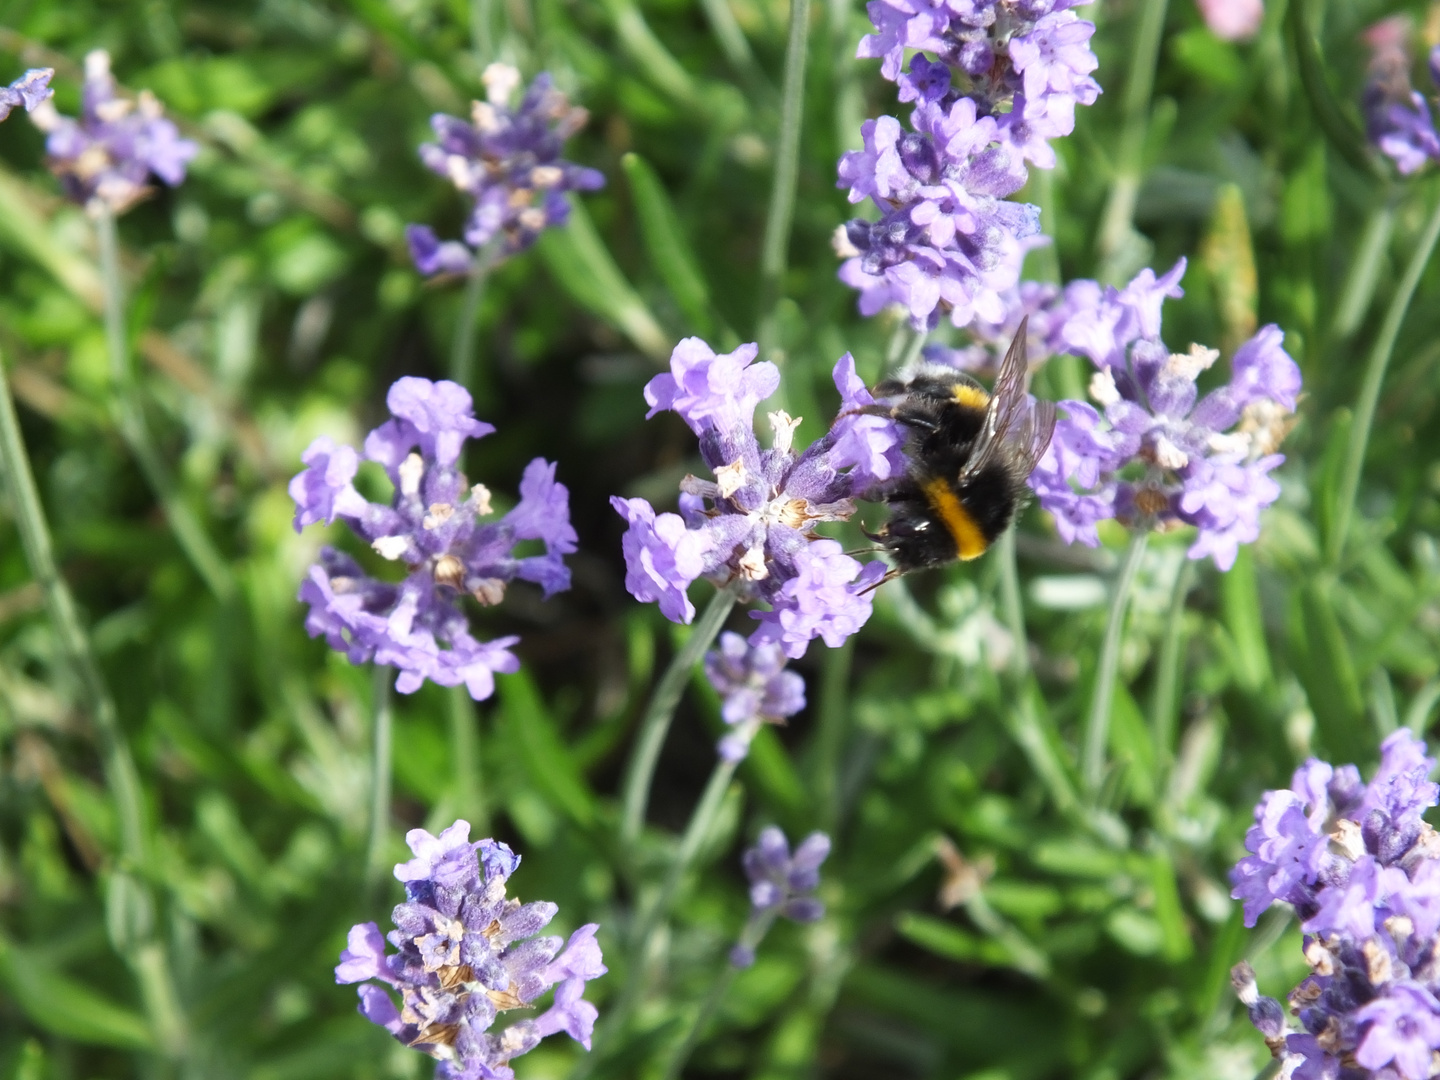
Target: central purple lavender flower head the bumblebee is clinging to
(752,526)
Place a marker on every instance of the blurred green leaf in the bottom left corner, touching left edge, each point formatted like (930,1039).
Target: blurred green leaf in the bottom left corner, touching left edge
(66,1007)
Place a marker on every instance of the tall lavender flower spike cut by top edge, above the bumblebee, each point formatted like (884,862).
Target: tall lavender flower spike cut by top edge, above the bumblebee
(947,240)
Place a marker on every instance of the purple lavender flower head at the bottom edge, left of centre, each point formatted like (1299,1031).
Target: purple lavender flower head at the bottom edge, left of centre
(466,954)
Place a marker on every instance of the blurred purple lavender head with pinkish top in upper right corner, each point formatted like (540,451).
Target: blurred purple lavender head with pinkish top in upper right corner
(1398,117)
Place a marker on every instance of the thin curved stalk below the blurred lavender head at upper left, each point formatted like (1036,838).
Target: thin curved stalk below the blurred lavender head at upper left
(130,418)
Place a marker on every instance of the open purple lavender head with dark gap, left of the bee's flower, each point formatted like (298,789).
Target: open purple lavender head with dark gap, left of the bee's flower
(433,526)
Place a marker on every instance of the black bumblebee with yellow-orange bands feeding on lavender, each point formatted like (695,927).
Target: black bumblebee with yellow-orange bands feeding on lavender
(971,453)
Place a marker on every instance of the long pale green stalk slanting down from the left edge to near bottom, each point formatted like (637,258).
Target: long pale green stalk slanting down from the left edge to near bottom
(146,955)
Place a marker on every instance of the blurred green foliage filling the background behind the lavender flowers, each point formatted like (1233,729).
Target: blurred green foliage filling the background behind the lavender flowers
(273,300)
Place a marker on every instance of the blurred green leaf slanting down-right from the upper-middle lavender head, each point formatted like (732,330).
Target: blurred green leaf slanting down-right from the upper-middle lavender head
(582,264)
